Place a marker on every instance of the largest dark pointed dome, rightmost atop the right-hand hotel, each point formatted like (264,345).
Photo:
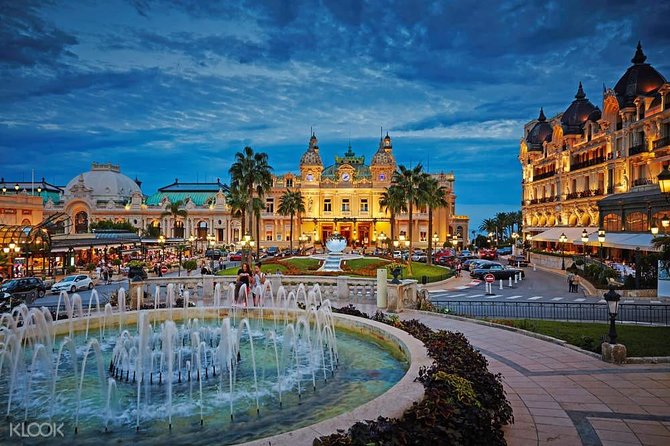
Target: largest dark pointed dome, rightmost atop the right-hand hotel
(641,79)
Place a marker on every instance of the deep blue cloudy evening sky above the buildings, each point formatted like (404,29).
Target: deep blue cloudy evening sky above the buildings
(171,88)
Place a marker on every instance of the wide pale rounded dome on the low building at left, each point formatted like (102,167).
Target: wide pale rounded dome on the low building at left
(104,182)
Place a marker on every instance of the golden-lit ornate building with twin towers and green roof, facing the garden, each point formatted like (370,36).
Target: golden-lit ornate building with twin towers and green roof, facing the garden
(345,197)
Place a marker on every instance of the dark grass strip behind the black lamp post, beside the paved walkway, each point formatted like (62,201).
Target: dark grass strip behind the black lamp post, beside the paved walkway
(639,340)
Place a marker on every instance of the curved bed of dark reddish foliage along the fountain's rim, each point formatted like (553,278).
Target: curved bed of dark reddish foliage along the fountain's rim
(464,403)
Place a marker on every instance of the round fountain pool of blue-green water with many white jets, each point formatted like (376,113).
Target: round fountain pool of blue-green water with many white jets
(220,373)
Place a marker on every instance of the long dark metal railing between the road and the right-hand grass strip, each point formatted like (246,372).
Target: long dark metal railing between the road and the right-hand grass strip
(591,312)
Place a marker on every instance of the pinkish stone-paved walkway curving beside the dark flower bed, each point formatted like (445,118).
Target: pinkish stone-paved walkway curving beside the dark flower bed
(561,396)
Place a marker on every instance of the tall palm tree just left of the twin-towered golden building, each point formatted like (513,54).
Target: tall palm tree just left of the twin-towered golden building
(253,174)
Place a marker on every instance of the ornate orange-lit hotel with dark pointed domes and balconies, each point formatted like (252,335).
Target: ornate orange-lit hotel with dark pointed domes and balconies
(584,168)
